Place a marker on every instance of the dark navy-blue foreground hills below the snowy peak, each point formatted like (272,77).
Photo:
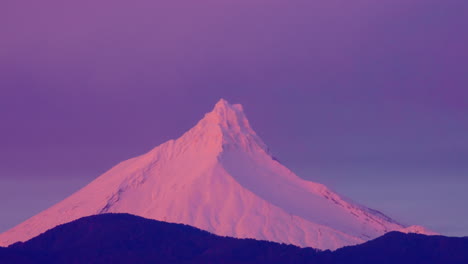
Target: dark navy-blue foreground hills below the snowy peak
(124,238)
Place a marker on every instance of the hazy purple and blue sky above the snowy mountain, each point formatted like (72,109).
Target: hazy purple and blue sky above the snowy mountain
(368,97)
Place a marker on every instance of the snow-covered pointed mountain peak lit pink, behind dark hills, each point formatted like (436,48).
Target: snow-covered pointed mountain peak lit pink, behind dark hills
(219,177)
